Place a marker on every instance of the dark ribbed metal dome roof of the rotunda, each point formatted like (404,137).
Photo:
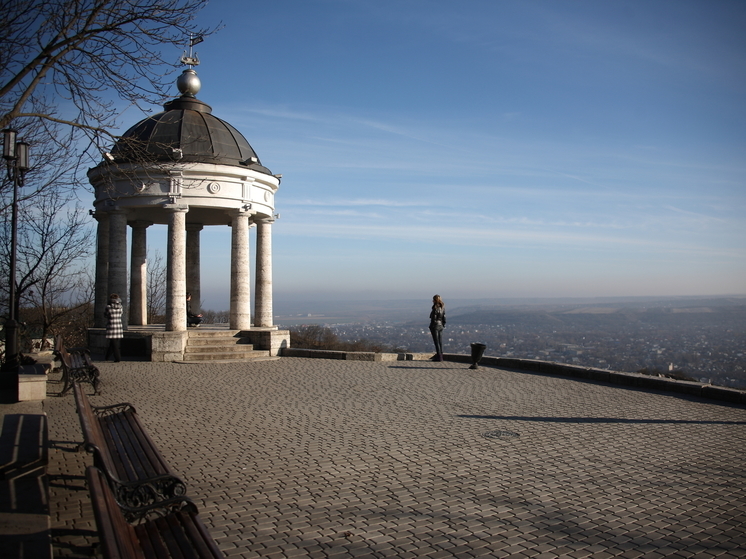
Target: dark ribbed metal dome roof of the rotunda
(186,132)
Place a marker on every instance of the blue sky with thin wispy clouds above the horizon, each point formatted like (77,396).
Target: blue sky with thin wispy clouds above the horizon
(488,148)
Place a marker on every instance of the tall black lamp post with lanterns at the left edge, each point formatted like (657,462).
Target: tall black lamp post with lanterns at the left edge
(15,154)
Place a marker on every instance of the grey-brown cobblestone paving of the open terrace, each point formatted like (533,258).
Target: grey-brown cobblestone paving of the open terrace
(321,458)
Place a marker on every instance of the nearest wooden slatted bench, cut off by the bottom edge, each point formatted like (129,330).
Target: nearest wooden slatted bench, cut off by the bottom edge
(176,533)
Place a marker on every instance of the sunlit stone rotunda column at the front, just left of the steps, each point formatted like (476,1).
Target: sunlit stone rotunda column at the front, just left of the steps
(176,268)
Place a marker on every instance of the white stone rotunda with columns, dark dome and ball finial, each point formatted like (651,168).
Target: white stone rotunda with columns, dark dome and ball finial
(187,169)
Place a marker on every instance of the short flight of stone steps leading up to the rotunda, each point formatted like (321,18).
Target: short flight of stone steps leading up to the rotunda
(220,345)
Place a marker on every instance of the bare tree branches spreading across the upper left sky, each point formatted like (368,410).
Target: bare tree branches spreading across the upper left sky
(61,61)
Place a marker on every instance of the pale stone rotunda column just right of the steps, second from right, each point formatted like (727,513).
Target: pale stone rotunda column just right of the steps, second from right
(240,313)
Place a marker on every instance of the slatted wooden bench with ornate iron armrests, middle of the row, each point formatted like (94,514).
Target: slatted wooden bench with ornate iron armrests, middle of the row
(137,472)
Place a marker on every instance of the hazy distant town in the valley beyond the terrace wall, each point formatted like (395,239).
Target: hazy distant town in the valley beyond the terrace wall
(703,339)
